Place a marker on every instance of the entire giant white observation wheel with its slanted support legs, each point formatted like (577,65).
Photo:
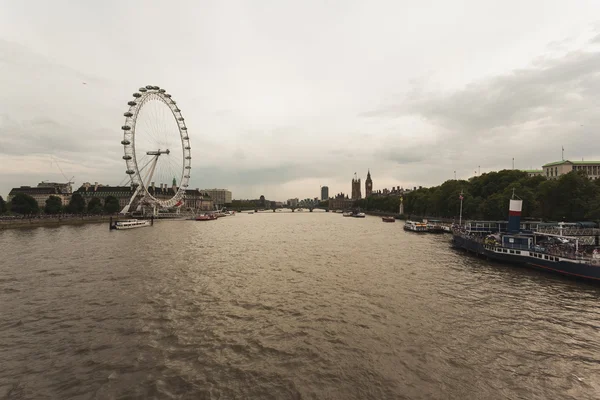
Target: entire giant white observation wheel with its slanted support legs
(157,150)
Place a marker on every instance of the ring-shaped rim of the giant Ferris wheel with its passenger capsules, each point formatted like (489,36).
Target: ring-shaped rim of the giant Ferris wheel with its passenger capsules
(141,98)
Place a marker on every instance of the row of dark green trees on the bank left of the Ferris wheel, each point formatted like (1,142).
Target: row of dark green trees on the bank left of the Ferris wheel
(24,204)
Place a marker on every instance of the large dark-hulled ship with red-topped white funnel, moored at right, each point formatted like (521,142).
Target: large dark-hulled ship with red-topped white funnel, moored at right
(576,255)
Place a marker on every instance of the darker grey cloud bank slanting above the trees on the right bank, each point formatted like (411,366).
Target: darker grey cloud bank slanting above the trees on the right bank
(527,114)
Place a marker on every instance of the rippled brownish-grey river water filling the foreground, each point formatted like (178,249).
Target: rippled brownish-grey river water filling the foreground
(284,306)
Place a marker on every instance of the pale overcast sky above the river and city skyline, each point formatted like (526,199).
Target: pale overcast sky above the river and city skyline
(282,97)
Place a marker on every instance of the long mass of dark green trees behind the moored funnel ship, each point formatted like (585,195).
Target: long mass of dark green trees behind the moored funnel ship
(572,197)
